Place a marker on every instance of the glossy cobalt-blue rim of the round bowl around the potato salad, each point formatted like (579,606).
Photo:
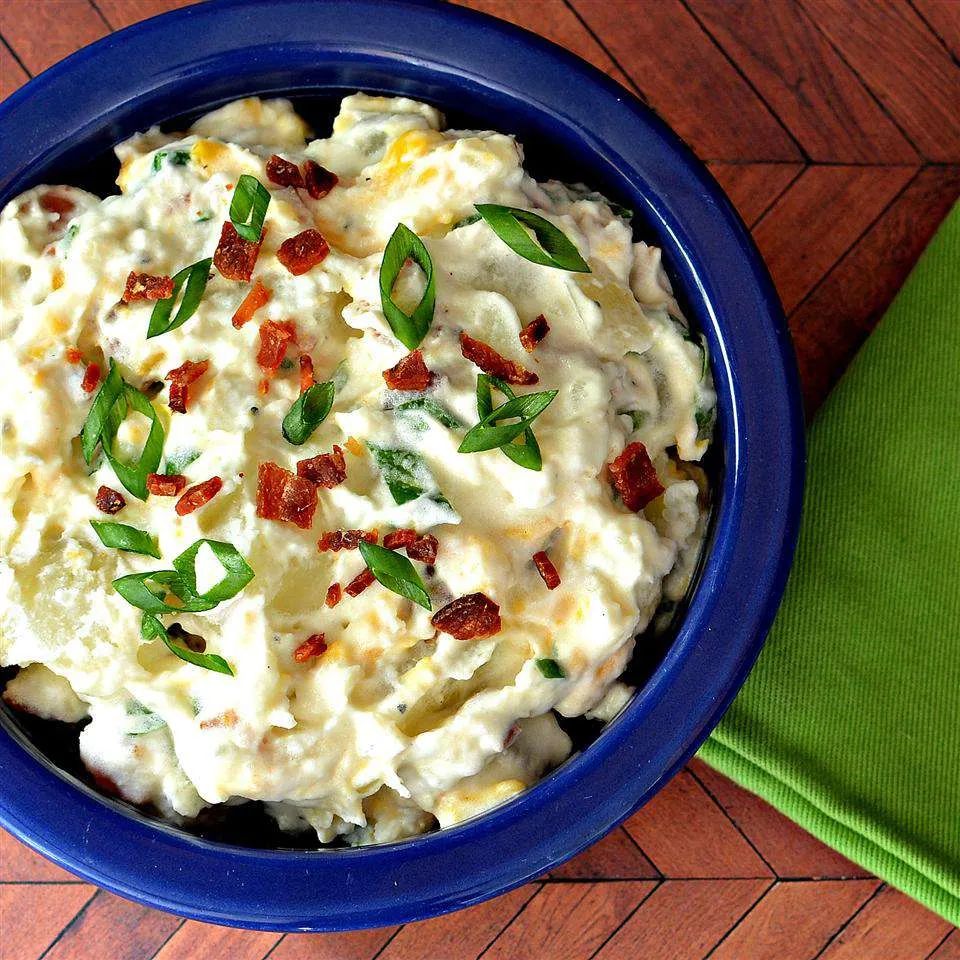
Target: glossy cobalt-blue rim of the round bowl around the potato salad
(222,49)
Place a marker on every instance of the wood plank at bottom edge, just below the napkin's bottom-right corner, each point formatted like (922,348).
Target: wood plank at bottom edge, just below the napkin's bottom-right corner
(890,927)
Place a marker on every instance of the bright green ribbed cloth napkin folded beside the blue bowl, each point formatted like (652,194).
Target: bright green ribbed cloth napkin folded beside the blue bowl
(850,722)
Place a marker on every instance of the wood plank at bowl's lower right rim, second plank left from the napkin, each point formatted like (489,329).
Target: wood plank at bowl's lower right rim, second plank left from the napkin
(685,834)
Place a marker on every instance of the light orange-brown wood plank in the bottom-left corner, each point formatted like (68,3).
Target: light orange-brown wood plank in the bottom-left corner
(31,916)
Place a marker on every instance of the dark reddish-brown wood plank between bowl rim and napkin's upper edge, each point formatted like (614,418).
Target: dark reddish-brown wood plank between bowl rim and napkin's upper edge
(831,324)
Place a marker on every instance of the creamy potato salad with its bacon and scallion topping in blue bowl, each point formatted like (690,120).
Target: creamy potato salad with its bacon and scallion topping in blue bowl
(336,472)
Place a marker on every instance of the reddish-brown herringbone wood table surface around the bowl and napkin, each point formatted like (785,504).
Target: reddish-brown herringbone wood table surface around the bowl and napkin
(834,125)
